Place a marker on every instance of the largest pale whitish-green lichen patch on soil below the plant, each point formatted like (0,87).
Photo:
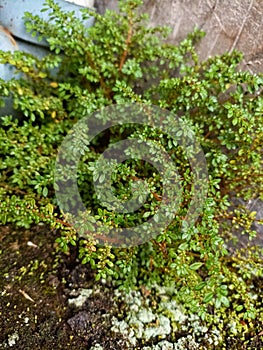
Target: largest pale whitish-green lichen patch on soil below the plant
(145,323)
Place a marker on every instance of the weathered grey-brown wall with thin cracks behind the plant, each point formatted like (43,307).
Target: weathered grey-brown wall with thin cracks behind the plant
(235,24)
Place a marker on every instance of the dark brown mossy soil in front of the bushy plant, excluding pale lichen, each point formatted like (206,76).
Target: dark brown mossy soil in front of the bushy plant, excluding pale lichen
(36,283)
